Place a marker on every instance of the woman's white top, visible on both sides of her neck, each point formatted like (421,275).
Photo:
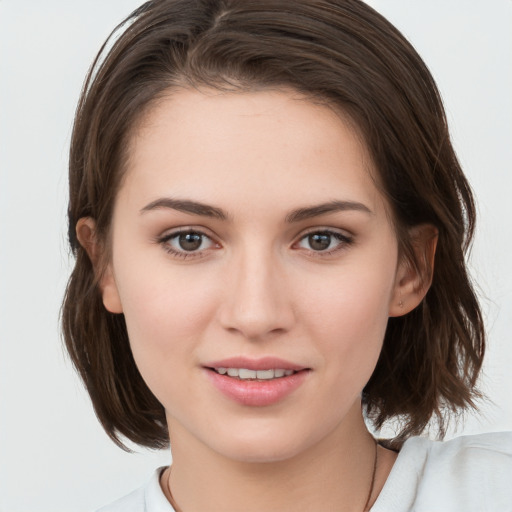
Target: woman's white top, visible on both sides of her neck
(466,474)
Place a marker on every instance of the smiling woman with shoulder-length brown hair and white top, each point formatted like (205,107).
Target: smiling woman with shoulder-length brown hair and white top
(269,223)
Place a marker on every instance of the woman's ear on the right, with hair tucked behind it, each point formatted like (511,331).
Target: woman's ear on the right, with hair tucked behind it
(413,281)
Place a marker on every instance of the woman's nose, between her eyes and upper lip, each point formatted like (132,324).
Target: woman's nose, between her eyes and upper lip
(257,302)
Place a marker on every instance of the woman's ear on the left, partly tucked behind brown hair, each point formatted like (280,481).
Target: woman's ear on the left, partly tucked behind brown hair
(86,234)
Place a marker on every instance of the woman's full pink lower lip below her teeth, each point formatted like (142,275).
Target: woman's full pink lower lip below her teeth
(257,393)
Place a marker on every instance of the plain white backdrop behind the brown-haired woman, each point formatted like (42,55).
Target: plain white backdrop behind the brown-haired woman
(54,457)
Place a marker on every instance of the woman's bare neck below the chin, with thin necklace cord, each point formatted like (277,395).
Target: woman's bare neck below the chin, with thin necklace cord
(333,474)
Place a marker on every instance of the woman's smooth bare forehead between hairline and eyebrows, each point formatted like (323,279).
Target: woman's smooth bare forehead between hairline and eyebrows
(271,147)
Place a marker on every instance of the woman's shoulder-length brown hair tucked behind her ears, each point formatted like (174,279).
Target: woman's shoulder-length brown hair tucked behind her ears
(340,52)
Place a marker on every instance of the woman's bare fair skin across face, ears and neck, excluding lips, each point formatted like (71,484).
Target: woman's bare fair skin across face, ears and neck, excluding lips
(257,287)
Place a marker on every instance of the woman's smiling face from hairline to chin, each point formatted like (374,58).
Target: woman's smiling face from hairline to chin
(256,265)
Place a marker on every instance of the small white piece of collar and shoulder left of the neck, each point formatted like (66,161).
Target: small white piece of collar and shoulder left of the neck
(148,498)
